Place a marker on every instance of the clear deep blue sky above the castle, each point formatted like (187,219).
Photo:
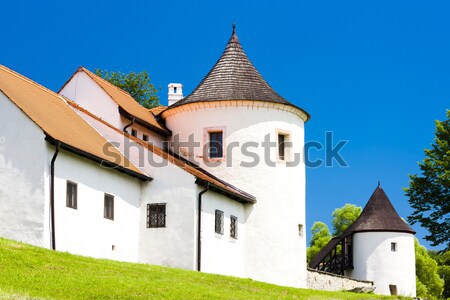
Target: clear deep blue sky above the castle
(376,73)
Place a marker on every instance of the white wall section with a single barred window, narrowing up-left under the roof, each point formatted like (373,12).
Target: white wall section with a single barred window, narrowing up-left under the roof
(174,245)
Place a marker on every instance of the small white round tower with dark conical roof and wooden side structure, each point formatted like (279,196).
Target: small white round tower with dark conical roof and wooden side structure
(378,247)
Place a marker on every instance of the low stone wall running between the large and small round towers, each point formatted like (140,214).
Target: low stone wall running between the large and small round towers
(319,280)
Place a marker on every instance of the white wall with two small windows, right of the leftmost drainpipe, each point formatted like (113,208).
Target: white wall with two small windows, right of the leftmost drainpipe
(84,230)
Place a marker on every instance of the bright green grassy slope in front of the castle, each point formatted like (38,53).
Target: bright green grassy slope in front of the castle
(28,272)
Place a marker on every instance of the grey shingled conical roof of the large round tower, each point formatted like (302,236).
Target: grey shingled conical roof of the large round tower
(233,77)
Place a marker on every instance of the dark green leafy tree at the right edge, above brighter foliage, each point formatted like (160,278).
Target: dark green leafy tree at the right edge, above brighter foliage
(429,193)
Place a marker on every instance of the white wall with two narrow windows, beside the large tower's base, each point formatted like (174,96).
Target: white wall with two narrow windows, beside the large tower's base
(222,254)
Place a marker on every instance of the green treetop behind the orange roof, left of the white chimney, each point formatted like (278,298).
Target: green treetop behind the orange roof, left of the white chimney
(138,85)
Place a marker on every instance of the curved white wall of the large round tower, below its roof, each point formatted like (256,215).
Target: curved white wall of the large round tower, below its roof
(275,251)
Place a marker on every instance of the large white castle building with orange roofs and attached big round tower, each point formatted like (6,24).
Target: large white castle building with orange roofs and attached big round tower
(91,172)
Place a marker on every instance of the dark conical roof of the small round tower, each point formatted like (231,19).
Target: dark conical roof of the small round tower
(379,215)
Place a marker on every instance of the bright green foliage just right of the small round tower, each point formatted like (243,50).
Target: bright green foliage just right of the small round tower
(428,282)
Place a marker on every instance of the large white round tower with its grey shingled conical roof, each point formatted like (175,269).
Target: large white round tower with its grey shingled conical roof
(253,138)
